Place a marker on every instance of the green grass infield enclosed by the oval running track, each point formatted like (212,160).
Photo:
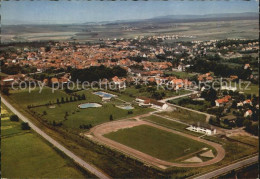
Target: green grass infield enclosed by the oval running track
(155,142)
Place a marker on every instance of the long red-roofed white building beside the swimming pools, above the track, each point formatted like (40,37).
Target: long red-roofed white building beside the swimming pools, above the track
(147,102)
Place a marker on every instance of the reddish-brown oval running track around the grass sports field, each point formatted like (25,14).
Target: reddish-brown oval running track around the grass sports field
(97,132)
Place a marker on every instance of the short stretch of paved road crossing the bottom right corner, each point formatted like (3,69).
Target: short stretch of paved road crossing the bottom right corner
(229,168)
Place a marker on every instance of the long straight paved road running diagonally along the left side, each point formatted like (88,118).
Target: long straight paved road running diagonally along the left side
(78,160)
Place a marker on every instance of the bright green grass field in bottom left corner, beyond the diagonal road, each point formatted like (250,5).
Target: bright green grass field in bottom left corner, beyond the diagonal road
(26,155)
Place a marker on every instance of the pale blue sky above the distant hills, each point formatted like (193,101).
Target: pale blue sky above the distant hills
(80,11)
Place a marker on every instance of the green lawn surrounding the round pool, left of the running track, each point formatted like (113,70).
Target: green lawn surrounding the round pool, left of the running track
(93,116)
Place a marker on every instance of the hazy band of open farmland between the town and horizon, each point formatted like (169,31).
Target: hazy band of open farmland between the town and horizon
(206,30)
